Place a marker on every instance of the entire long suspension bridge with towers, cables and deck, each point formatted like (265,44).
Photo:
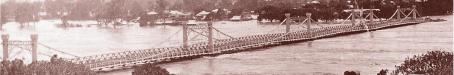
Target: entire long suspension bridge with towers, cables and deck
(360,20)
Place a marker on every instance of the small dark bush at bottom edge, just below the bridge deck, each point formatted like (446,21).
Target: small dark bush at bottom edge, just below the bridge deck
(149,69)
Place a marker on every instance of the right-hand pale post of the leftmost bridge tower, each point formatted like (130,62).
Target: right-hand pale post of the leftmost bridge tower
(34,43)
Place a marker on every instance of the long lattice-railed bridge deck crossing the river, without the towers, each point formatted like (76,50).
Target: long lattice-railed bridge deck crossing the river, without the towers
(127,59)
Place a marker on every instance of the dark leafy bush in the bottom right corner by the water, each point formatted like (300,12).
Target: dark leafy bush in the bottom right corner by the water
(431,63)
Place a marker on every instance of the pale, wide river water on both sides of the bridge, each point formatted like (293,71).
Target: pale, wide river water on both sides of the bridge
(365,52)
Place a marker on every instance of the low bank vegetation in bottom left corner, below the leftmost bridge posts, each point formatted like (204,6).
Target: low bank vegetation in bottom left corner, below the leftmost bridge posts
(55,67)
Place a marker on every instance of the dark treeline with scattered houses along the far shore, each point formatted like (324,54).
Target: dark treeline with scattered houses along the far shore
(128,10)
